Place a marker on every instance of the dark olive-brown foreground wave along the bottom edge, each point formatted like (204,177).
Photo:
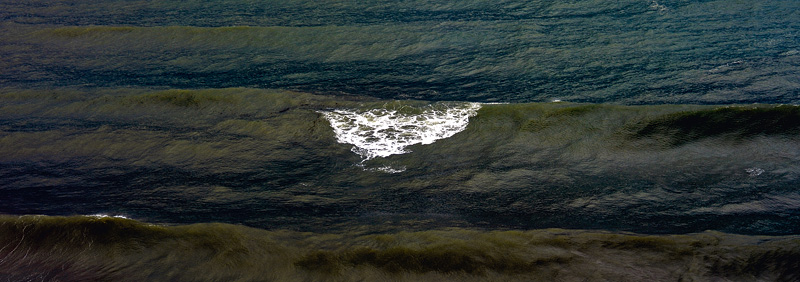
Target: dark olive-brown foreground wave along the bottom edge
(82,248)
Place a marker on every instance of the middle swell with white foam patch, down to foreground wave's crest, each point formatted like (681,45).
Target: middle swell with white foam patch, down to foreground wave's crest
(235,155)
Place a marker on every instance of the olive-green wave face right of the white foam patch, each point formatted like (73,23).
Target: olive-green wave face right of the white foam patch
(672,125)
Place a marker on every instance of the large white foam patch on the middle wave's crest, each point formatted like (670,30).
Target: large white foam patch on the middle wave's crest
(384,132)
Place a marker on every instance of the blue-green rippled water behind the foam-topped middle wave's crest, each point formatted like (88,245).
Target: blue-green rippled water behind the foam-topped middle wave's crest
(515,51)
